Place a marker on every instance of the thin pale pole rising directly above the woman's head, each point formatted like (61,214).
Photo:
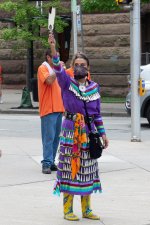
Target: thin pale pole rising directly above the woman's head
(74,25)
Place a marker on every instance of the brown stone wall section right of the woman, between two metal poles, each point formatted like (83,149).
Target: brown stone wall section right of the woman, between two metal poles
(107,44)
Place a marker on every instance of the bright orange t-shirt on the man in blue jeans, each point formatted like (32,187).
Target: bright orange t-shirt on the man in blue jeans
(50,99)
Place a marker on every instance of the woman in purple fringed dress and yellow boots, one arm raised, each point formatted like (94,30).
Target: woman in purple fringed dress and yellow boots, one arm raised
(77,173)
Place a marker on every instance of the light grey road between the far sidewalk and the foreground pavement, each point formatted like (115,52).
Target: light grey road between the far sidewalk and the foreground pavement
(29,125)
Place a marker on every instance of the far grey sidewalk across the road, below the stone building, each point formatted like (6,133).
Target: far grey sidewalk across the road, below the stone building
(12,99)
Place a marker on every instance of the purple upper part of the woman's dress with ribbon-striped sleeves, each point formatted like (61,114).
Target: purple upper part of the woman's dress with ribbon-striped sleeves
(72,99)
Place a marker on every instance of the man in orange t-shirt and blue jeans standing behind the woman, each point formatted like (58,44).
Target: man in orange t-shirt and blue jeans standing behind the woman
(51,110)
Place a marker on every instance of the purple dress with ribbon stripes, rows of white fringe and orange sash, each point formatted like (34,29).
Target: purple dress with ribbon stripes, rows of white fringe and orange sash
(86,179)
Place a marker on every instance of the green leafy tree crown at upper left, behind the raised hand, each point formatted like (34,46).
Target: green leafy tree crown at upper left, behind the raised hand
(28,19)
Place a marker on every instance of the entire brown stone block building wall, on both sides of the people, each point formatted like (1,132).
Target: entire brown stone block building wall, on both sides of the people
(106,43)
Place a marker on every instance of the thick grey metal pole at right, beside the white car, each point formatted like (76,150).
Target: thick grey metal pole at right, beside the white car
(135,72)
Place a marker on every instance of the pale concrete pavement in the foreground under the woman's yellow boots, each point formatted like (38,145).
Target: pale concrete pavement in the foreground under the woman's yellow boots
(26,195)
